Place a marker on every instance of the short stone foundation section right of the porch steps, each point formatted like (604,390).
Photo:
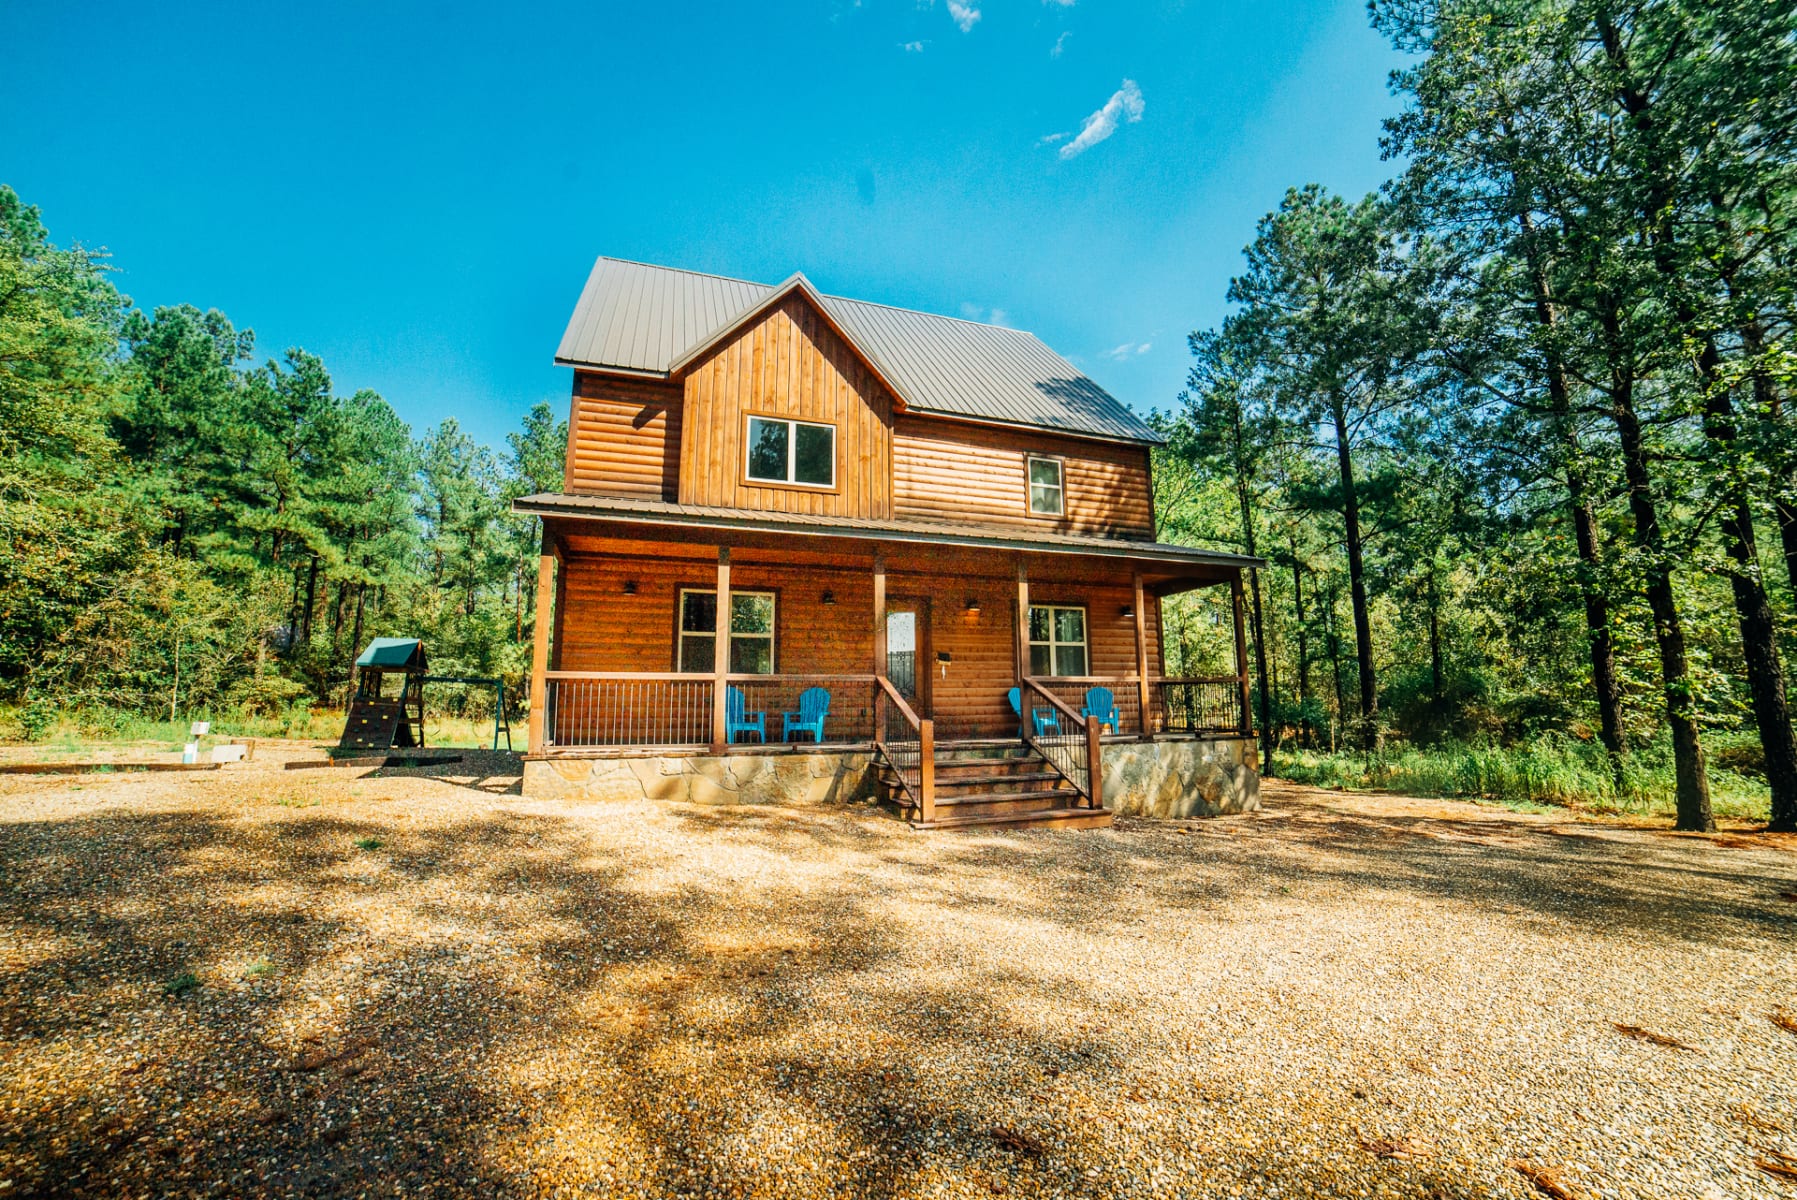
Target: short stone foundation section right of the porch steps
(1198,779)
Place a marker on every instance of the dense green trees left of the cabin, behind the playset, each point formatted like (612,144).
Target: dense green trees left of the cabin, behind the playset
(190,531)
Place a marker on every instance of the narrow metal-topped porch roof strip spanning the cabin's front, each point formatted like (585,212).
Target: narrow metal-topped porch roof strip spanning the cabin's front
(660,513)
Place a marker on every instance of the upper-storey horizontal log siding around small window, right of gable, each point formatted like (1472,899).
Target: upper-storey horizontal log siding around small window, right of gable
(966,473)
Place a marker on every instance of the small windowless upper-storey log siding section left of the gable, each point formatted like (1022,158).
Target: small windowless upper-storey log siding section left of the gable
(624,437)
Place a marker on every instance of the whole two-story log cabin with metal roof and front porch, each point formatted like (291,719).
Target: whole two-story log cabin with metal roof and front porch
(815,549)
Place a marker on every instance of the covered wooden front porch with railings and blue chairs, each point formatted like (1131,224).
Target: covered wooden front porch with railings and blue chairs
(898,646)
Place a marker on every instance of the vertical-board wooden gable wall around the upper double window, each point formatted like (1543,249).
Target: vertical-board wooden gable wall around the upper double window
(786,364)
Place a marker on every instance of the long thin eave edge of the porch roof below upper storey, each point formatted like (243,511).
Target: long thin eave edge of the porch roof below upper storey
(977,542)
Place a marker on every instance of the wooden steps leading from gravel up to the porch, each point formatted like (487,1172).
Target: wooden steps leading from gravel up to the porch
(995,784)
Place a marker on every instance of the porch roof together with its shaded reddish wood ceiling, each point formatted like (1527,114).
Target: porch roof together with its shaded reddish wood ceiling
(650,527)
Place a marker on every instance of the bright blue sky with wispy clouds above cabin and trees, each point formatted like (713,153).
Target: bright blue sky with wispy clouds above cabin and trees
(418,191)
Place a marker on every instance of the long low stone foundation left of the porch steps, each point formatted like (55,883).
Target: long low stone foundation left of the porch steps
(707,779)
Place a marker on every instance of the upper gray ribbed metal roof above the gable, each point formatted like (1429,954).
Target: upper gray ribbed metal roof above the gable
(646,319)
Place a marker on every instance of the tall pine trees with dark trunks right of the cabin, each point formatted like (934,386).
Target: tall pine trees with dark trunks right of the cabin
(1516,434)
